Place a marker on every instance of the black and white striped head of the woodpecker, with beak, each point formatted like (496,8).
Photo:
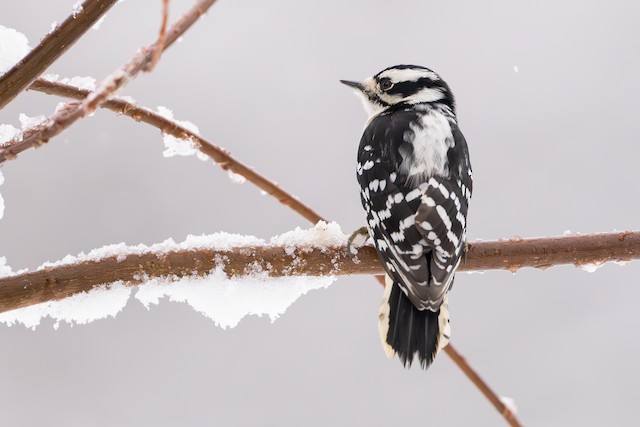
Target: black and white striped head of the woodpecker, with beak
(402,85)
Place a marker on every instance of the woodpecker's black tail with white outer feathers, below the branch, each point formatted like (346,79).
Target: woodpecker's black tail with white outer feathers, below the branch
(406,331)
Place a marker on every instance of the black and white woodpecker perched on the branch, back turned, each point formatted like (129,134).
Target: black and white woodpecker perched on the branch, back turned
(415,186)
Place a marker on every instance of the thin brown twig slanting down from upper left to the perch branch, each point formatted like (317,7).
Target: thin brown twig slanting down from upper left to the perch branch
(167,126)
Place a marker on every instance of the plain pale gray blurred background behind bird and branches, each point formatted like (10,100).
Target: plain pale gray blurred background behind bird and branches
(554,147)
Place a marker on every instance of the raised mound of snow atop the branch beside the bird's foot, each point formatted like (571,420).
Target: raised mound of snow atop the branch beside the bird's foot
(323,235)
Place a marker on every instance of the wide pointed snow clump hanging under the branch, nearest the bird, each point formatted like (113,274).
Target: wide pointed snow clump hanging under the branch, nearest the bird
(226,301)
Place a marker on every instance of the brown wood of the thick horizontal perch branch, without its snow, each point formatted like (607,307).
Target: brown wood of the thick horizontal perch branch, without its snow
(61,281)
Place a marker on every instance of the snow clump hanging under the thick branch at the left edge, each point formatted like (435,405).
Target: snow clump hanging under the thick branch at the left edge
(82,308)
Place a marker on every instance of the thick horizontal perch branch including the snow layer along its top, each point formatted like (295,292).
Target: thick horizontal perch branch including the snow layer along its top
(320,251)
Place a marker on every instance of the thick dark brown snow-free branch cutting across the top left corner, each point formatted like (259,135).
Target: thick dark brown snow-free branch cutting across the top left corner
(52,46)
